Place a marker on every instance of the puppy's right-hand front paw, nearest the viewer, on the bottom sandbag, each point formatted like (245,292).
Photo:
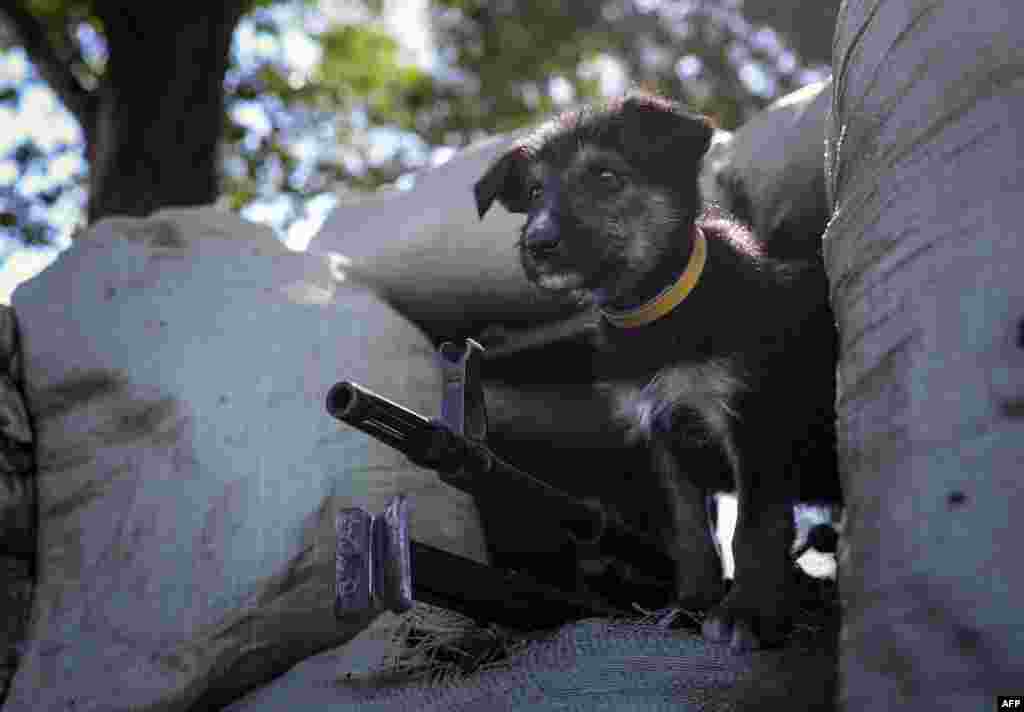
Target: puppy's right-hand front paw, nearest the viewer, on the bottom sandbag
(749,620)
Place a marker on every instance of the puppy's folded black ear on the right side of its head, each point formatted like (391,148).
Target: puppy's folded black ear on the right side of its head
(659,127)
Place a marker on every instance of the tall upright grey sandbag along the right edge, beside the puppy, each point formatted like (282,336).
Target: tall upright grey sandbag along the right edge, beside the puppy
(925,259)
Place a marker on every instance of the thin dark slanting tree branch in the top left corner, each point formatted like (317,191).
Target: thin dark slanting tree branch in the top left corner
(55,70)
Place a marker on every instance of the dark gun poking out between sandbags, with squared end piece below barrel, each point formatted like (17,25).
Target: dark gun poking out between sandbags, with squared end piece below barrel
(376,557)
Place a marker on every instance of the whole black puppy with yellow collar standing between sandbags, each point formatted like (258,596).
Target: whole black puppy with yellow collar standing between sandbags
(724,358)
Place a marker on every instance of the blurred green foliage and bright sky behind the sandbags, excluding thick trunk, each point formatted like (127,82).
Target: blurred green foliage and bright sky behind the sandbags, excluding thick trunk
(335,98)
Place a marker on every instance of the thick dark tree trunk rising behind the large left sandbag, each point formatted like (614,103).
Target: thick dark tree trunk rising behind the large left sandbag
(155,137)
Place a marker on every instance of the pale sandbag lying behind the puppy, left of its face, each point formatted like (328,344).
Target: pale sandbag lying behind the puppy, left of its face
(430,256)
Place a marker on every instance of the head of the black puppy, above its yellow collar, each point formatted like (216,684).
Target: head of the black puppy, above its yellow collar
(610,194)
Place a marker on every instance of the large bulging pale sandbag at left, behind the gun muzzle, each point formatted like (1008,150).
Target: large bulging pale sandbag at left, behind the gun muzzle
(189,475)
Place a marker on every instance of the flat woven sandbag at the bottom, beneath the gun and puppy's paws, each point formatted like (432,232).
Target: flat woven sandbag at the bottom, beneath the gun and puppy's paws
(588,665)
